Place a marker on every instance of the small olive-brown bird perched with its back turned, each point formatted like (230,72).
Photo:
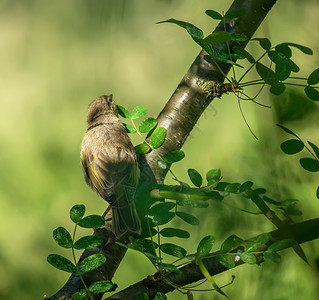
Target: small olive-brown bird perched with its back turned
(110,165)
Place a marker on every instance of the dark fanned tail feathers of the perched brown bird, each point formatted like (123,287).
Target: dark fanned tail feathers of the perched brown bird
(125,218)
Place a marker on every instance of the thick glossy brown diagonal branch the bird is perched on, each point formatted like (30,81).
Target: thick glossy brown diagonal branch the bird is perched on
(179,117)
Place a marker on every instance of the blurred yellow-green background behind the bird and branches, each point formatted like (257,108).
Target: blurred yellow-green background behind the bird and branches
(57,56)
